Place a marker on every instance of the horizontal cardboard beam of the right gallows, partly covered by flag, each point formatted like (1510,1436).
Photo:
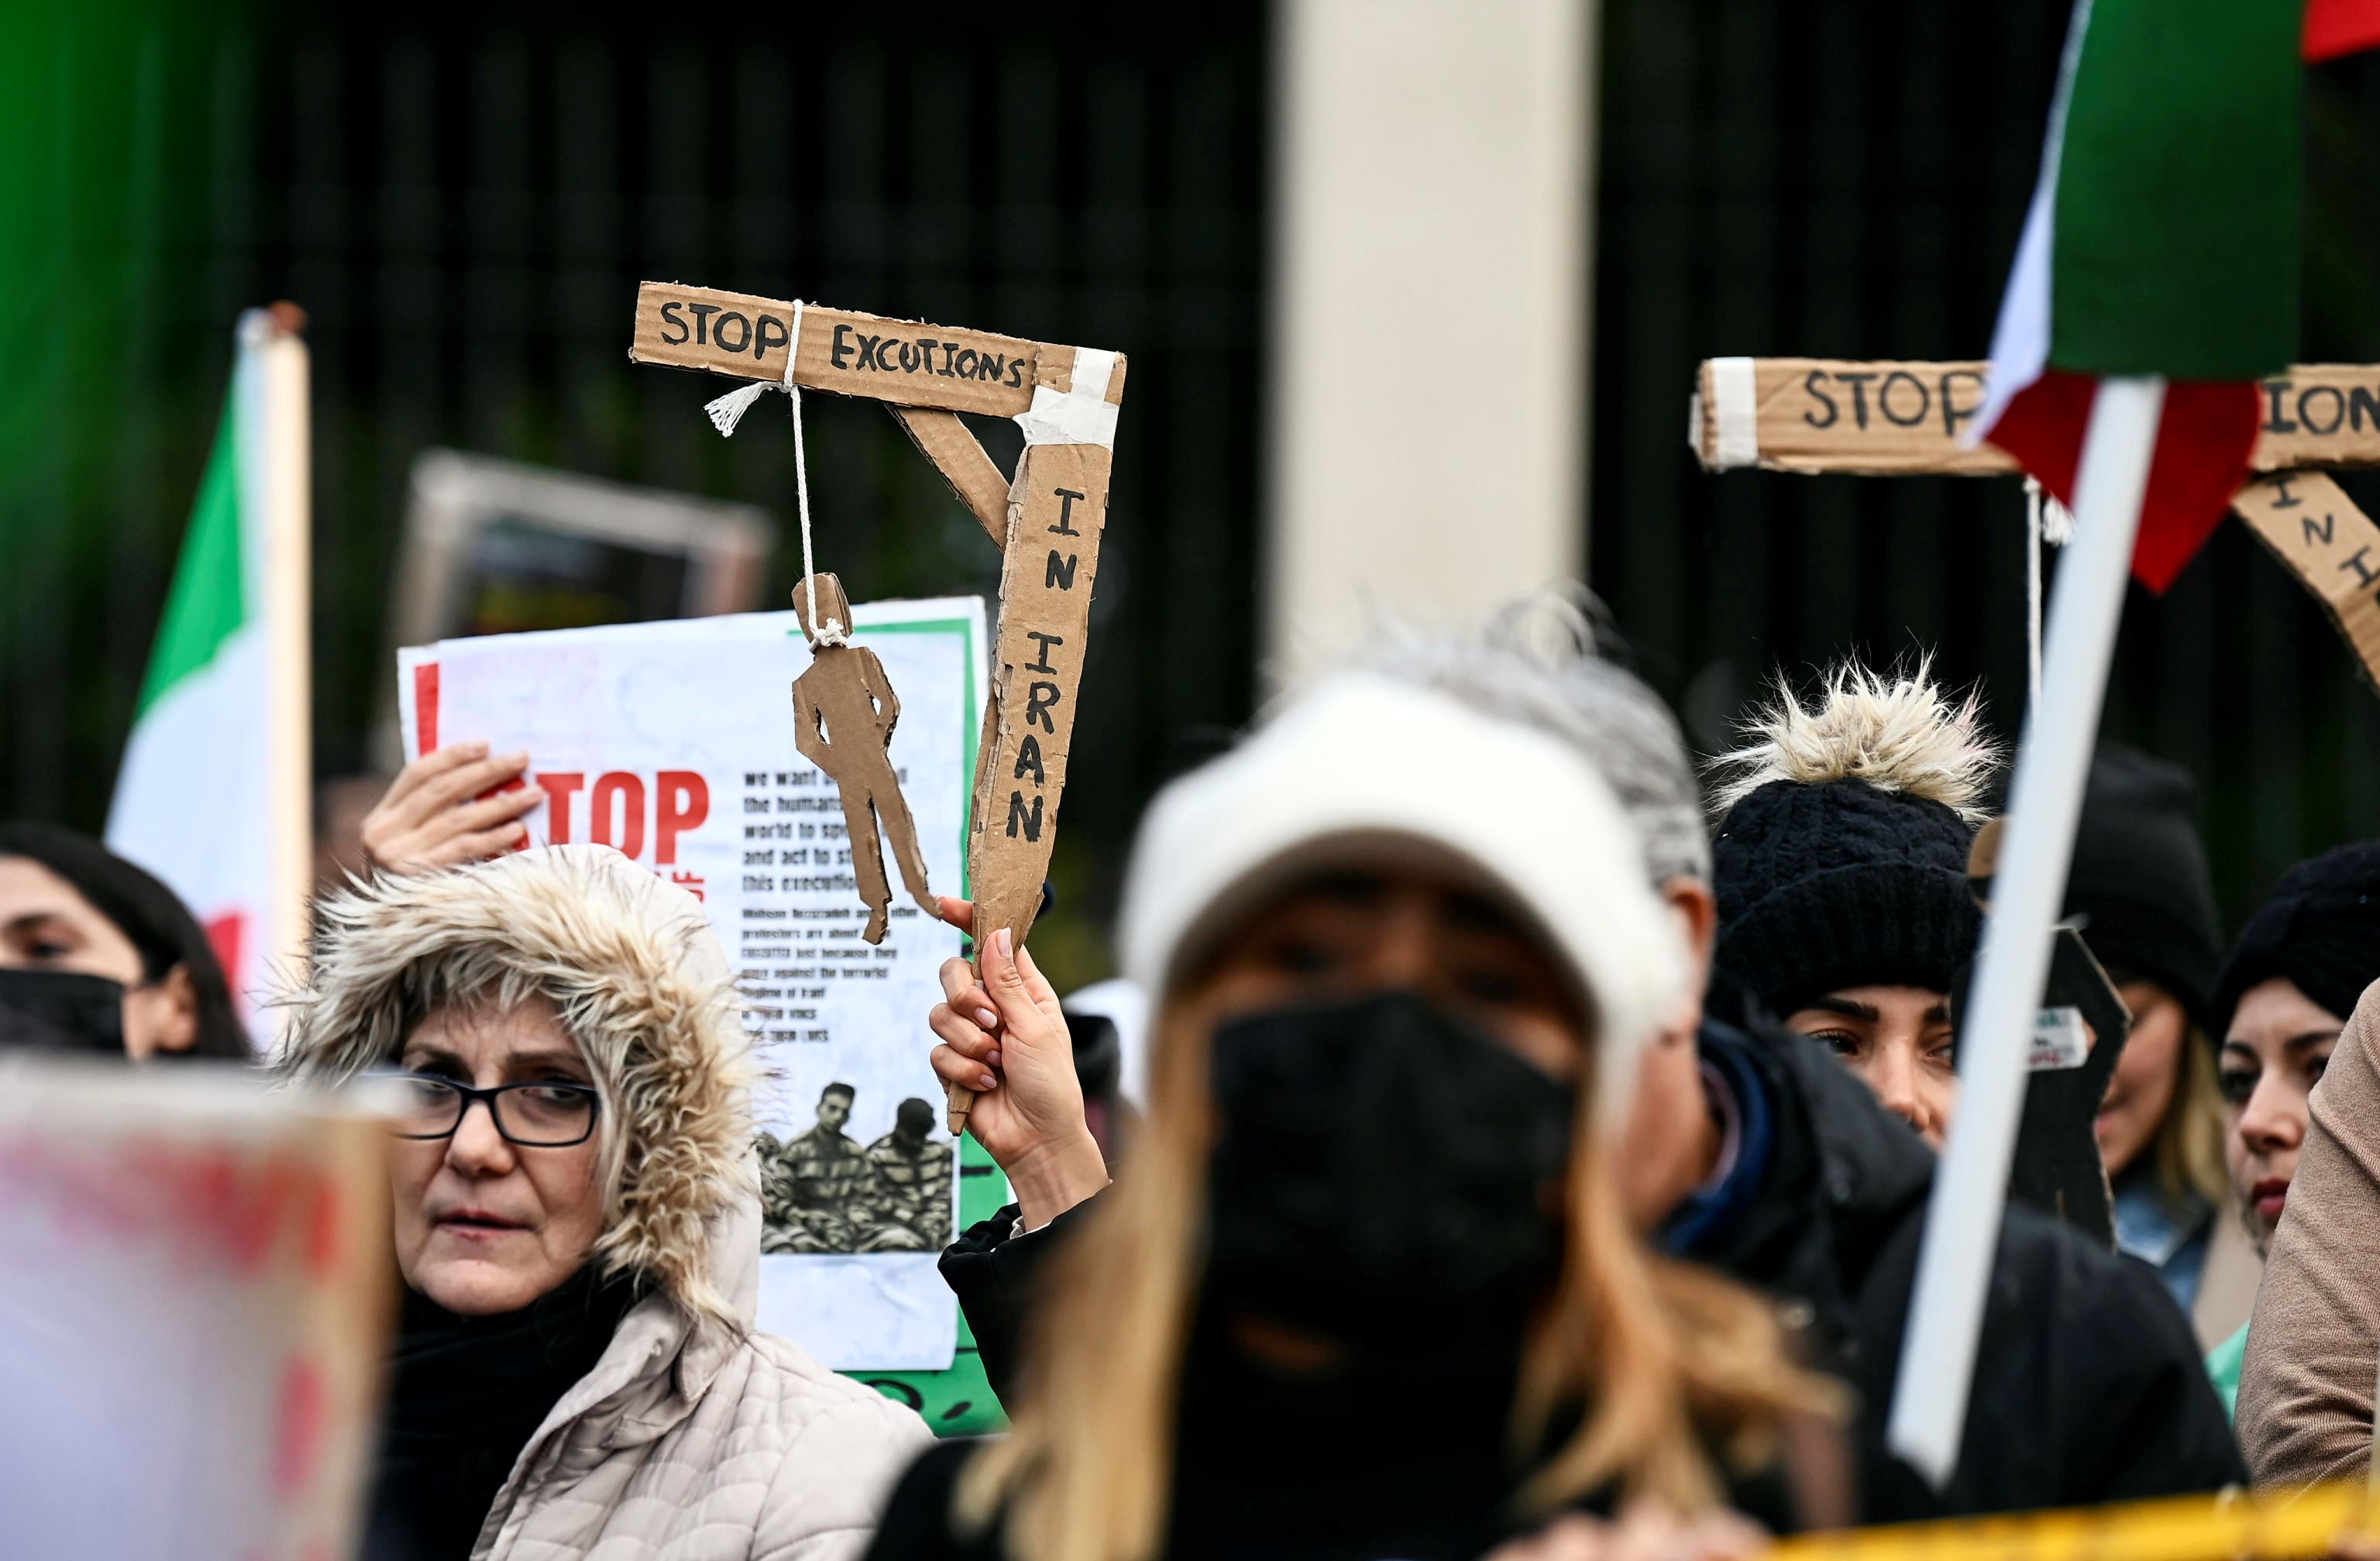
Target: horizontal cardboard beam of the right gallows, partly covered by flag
(1908,418)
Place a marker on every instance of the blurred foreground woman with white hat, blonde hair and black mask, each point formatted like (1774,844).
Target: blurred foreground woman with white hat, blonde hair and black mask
(1367,1289)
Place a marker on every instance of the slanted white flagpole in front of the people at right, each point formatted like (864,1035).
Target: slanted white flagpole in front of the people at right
(1969,1193)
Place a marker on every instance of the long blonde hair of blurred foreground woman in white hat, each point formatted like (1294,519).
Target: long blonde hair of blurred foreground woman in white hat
(1667,1360)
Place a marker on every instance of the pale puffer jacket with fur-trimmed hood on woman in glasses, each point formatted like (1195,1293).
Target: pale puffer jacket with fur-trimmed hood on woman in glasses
(694,1438)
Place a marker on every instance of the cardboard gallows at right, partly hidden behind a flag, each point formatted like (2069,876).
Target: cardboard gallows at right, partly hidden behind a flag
(1910,420)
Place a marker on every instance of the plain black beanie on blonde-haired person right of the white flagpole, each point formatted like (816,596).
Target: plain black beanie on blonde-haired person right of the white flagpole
(2141,882)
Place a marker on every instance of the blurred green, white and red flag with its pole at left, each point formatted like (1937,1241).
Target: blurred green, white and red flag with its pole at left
(215,784)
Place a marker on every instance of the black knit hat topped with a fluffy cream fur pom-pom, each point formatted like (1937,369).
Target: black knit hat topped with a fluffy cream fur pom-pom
(1841,855)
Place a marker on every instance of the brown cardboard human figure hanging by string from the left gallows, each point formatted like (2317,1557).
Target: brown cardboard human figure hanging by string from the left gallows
(844,715)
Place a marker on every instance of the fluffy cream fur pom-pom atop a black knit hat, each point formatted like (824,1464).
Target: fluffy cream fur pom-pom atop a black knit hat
(1896,732)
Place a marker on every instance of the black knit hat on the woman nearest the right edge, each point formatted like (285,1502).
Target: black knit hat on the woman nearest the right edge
(2322,929)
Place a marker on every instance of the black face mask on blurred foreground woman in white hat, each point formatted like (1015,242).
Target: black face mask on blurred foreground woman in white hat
(1379,1170)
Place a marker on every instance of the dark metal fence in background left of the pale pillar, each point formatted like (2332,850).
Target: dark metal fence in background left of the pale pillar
(465,218)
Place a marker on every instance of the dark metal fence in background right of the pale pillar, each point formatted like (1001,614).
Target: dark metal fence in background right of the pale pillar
(1843,180)
